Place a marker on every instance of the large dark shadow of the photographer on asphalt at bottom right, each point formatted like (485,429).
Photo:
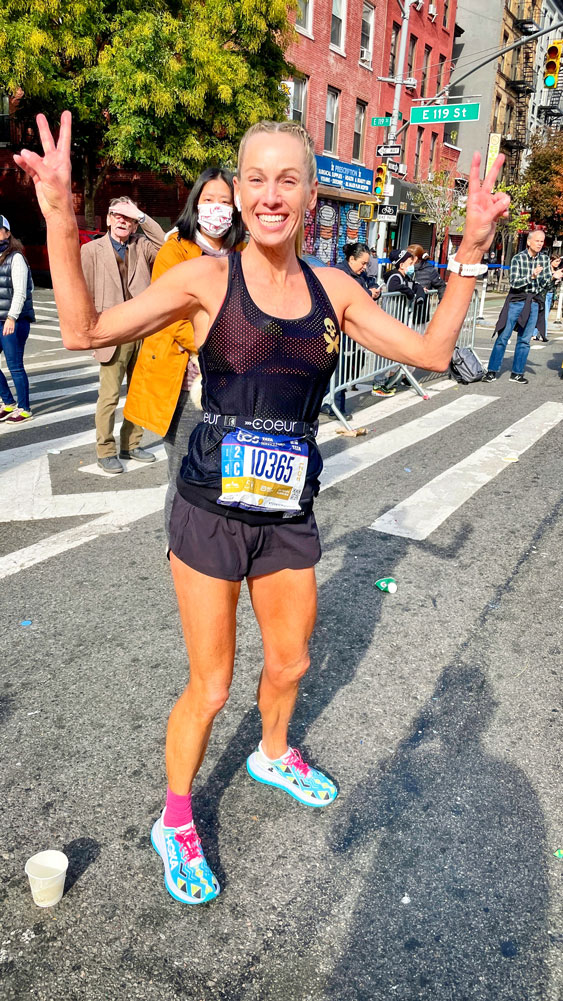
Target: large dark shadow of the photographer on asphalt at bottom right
(454,906)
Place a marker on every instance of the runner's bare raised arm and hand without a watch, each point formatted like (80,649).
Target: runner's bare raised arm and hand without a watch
(173,298)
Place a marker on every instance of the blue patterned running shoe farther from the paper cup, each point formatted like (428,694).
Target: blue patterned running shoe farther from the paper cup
(294,775)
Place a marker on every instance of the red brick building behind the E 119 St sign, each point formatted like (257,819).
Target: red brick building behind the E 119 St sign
(336,93)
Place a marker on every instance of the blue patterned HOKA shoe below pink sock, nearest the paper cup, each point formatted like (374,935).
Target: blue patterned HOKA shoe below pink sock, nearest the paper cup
(188,876)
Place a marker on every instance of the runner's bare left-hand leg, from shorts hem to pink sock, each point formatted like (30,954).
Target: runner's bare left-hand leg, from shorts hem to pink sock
(208,608)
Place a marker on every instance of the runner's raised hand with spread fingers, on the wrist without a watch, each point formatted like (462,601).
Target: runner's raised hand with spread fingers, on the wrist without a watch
(52,173)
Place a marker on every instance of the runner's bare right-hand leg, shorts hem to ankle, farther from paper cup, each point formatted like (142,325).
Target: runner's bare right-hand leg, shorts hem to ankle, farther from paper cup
(285,605)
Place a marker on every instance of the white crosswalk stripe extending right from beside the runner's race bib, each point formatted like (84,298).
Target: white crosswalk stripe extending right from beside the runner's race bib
(348,464)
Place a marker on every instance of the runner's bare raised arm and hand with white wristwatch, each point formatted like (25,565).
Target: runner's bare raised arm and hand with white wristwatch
(367,324)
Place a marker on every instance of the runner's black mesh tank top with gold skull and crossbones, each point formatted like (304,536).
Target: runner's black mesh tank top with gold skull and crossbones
(258,366)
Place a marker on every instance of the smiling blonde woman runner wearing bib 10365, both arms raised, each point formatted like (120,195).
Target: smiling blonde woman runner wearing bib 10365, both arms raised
(268,331)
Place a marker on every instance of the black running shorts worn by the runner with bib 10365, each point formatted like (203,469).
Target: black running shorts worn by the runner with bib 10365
(231,550)
